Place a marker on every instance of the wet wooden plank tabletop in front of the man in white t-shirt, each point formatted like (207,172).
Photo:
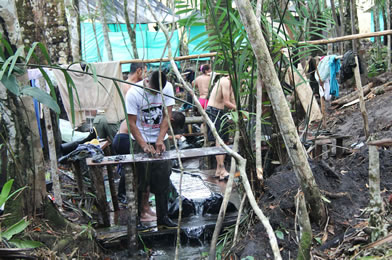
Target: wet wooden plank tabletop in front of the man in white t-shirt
(168,155)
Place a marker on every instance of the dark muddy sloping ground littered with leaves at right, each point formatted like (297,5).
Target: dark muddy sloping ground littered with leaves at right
(349,180)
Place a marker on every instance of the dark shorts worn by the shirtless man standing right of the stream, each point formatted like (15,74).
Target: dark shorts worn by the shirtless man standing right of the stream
(222,126)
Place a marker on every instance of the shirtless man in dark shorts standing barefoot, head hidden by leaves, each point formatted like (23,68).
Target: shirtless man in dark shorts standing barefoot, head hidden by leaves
(221,97)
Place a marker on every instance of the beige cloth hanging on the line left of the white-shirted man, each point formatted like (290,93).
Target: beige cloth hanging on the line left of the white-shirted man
(92,95)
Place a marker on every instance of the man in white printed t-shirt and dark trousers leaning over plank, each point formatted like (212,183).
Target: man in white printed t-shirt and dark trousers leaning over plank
(148,124)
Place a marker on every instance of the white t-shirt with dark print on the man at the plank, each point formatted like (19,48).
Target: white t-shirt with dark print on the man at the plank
(148,108)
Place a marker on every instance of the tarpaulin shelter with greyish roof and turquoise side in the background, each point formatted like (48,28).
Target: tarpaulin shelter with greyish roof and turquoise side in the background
(150,45)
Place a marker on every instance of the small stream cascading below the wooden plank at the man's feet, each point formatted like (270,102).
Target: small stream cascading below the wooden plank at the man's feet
(202,197)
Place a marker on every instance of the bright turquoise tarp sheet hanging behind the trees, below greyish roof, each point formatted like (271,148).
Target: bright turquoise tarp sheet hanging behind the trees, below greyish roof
(150,45)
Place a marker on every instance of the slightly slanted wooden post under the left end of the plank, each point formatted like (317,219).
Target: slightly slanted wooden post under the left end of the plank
(99,185)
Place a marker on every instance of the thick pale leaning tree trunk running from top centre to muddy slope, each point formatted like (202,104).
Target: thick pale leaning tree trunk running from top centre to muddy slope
(290,136)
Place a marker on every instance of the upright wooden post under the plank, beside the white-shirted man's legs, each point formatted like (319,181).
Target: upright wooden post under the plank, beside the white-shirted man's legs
(132,207)
